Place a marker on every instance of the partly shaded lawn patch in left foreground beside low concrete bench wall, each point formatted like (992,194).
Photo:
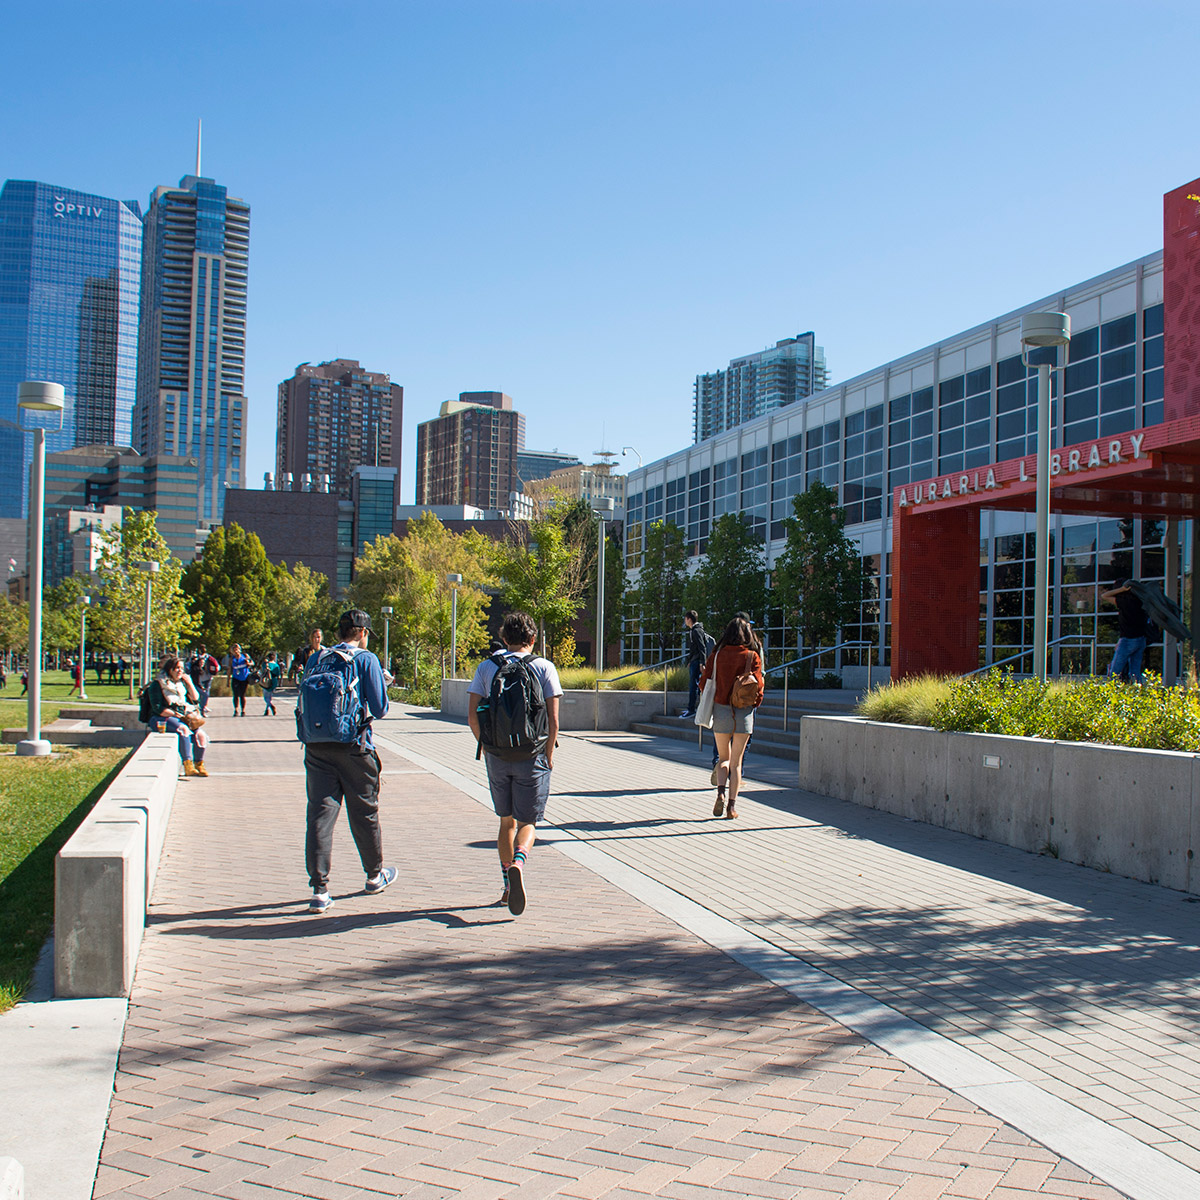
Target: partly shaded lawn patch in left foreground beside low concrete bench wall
(43,802)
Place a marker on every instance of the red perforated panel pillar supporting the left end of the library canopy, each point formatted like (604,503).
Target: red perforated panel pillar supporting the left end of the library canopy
(935,592)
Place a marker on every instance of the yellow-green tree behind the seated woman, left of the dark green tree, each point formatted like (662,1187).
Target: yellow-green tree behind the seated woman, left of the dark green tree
(119,611)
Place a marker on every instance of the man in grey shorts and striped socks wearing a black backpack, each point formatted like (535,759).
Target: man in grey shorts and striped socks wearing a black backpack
(519,779)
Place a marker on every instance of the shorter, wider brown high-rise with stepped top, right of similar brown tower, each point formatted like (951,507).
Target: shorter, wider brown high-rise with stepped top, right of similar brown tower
(469,453)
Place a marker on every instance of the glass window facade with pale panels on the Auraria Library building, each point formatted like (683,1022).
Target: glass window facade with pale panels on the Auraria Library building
(964,404)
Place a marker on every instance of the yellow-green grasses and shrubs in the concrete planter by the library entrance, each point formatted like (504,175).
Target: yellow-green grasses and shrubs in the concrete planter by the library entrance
(1106,711)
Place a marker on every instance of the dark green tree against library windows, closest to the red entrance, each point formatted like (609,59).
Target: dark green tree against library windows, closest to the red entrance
(819,578)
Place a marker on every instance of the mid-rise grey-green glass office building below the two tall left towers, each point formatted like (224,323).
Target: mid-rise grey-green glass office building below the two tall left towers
(91,479)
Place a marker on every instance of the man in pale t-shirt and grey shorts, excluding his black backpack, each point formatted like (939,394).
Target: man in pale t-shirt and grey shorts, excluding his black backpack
(520,787)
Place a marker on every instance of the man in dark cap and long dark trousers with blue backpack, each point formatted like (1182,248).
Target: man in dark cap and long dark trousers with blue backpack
(341,693)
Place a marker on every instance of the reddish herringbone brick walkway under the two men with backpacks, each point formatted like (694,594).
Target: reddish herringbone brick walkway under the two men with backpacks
(422,1043)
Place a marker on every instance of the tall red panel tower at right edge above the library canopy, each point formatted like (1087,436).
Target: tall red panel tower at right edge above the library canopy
(1181,297)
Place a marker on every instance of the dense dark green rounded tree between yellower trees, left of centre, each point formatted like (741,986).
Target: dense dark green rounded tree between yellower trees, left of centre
(232,587)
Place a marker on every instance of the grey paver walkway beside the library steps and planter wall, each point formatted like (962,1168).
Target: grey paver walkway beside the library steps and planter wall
(1083,983)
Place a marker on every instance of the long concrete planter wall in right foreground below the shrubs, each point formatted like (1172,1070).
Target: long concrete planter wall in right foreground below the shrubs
(1130,812)
